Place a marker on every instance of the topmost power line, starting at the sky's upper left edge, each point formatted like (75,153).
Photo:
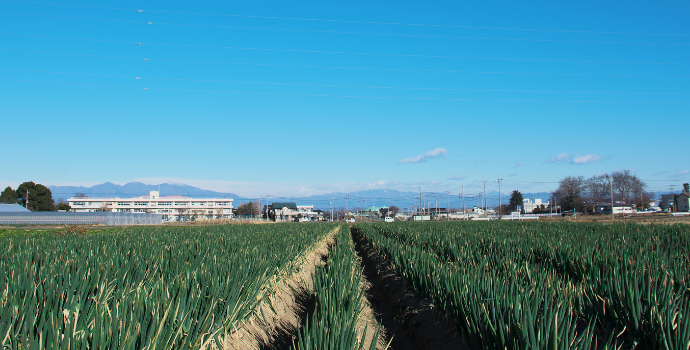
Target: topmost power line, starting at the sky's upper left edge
(352,21)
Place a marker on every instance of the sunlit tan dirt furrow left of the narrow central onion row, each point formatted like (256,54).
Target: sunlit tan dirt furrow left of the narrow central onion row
(283,313)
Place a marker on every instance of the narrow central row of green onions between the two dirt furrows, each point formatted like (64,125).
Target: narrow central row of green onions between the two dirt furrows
(338,294)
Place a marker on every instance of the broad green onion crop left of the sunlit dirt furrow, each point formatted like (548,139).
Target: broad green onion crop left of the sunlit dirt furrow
(152,288)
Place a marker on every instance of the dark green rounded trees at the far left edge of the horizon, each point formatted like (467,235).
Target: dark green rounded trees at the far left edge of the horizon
(39,197)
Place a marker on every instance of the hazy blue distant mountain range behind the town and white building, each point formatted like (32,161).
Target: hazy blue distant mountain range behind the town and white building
(378,198)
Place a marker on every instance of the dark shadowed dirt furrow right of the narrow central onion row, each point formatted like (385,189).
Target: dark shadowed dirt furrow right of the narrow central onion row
(411,320)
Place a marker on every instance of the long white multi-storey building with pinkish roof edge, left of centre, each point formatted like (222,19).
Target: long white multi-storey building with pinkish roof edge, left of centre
(173,208)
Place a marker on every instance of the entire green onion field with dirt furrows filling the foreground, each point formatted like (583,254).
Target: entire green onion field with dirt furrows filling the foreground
(468,285)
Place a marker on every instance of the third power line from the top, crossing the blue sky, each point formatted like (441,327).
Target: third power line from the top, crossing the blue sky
(343,52)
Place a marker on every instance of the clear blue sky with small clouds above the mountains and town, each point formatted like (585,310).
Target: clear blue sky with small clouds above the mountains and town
(303,98)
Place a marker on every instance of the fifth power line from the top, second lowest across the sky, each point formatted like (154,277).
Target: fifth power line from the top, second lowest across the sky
(351,86)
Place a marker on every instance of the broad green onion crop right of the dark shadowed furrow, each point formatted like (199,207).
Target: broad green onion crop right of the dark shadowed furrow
(510,285)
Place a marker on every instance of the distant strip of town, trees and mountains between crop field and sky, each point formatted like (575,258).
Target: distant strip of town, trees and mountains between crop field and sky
(619,193)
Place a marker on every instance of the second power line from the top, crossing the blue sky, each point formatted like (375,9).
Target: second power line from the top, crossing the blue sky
(347,32)
